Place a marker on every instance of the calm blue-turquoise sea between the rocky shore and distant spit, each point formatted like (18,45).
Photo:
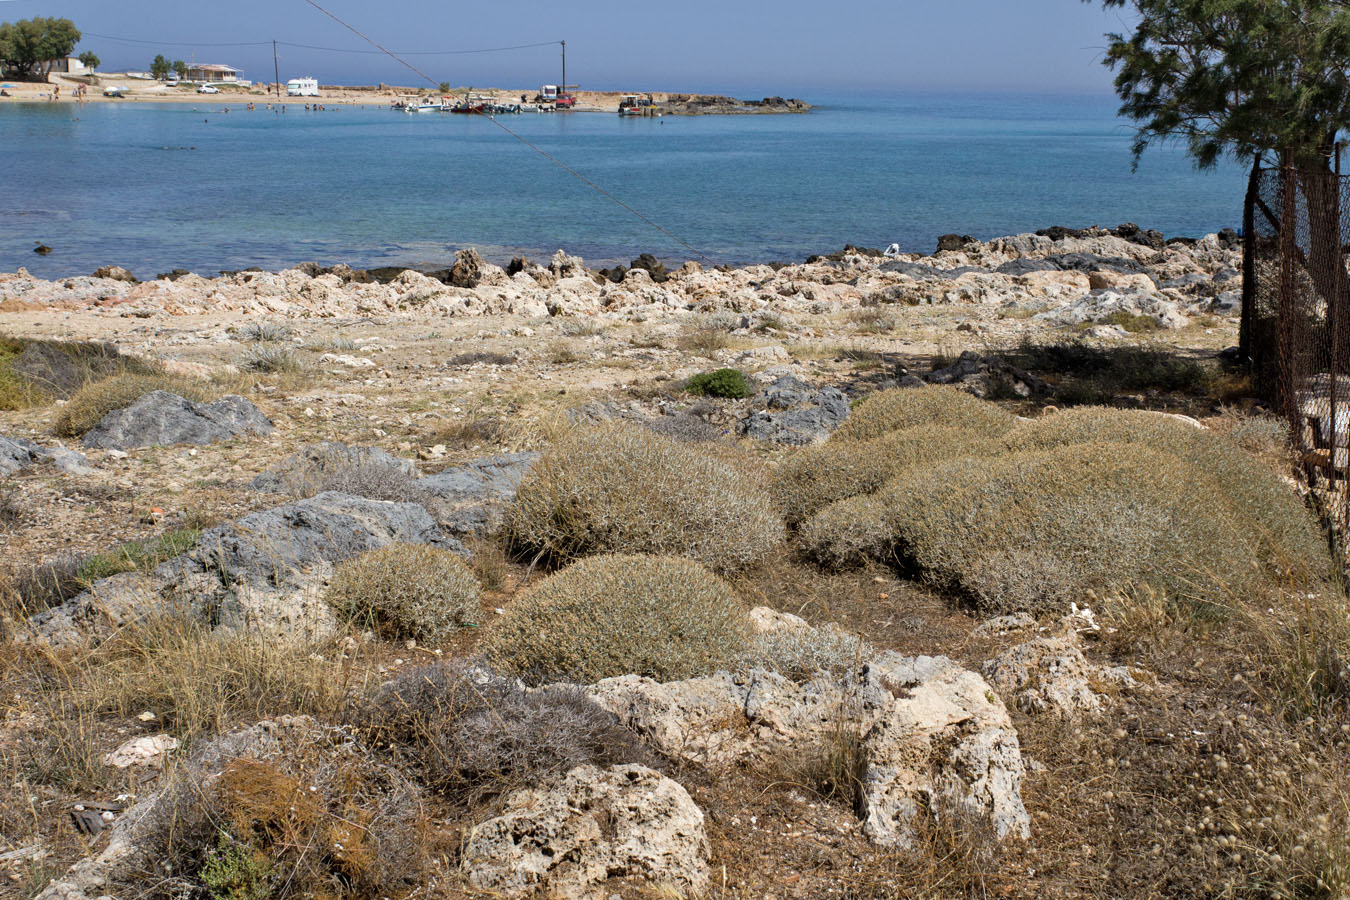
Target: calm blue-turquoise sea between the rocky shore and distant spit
(214,187)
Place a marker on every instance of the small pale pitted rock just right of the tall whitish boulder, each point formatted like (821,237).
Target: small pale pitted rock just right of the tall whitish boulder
(1051,675)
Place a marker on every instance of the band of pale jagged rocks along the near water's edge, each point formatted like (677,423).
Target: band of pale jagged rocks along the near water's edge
(1109,281)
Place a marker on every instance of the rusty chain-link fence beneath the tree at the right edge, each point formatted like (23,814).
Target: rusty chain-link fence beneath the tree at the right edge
(1297,318)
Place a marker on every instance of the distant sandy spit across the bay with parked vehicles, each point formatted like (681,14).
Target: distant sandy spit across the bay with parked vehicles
(142,91)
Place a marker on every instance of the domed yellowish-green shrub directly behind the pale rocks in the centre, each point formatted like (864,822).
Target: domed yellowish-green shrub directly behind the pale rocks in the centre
(668,619)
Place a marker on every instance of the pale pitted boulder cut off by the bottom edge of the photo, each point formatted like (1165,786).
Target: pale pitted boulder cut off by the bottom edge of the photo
(568,839)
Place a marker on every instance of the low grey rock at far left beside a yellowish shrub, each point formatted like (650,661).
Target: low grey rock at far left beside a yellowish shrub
(161,419)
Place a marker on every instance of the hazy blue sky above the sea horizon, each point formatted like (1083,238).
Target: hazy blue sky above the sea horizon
(749,48)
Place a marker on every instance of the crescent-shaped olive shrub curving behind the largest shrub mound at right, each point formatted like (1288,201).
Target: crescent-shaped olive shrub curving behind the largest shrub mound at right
(1289,540)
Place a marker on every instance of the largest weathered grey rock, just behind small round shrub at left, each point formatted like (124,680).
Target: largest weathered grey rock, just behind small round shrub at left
(280,546)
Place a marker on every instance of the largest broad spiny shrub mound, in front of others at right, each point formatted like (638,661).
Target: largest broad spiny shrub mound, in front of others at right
(1037,530)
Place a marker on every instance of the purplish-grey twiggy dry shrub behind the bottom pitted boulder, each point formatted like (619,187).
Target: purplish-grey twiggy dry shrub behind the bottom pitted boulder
(472,736)
